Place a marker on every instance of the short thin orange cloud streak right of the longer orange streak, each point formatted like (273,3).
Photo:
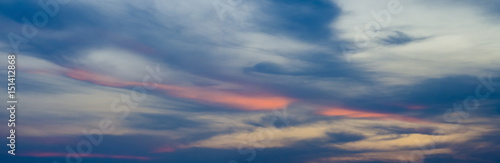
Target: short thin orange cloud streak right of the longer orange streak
(365,114)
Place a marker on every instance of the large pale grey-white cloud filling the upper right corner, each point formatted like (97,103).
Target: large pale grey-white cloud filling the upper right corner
(458,40)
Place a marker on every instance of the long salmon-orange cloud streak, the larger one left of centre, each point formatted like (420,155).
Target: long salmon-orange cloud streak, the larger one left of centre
(242,101)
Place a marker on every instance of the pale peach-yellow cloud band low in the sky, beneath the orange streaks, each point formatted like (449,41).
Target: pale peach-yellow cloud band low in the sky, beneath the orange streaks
(372,132)
